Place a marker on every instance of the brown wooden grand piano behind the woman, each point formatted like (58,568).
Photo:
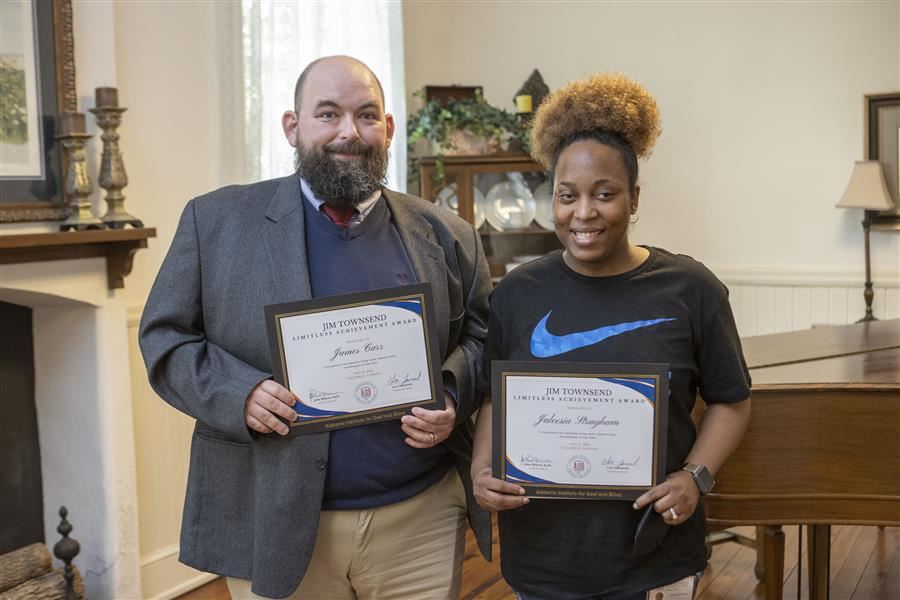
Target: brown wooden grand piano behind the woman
(822,445)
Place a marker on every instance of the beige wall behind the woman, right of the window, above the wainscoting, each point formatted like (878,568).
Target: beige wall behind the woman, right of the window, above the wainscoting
(761,106)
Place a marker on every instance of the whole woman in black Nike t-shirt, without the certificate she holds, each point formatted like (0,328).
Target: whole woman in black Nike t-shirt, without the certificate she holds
(589,136)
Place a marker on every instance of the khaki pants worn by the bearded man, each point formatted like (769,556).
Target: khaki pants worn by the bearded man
(411,550)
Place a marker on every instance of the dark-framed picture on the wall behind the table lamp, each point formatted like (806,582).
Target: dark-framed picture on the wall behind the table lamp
(883,144)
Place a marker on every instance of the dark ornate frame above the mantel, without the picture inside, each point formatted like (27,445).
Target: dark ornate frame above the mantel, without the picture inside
(42,199)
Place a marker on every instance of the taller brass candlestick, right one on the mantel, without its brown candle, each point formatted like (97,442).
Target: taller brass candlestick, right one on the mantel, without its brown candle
(112,170)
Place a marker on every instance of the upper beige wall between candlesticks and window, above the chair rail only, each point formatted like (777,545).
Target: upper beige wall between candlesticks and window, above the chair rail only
(166,57)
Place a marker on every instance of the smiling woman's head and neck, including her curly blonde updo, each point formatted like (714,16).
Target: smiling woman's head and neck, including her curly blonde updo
(591,151)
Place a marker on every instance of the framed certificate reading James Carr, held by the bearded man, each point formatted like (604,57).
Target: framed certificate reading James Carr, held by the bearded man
(357,359)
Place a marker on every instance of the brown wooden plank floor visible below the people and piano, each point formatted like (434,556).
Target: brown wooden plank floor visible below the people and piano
(865,565)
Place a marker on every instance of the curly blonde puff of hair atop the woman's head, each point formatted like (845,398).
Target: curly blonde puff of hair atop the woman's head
(601,102)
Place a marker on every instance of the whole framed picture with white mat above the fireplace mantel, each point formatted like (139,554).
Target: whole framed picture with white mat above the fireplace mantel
(37,81)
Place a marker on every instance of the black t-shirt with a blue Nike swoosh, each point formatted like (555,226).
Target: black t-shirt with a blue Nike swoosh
(670,309)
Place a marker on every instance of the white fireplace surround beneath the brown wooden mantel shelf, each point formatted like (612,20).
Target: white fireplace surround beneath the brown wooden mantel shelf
(84,414)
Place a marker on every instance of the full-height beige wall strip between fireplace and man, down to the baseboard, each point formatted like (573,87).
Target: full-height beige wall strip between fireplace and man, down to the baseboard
(166,58)
